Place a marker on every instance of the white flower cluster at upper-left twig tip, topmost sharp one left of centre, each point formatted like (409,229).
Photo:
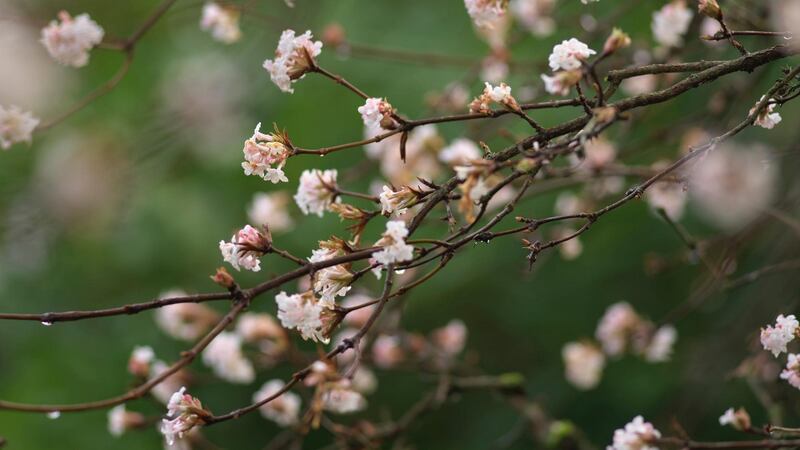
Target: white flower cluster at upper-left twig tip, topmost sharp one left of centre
(293,58)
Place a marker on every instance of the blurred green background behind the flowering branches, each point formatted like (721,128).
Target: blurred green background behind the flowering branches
(129,198)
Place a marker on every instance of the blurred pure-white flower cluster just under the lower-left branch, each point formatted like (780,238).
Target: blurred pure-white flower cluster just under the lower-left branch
(224,356)
